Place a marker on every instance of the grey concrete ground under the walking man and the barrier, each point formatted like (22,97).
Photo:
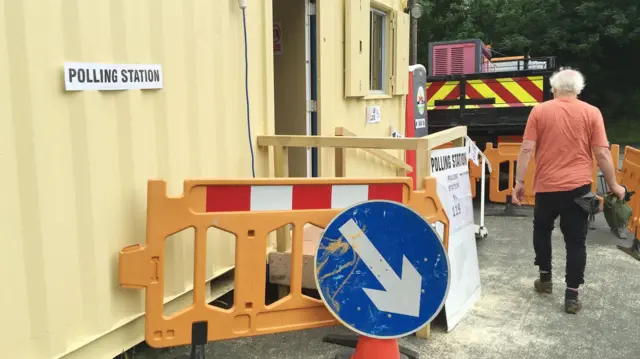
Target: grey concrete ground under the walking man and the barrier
(510,320)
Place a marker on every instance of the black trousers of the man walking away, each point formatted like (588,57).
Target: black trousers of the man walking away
(574,222)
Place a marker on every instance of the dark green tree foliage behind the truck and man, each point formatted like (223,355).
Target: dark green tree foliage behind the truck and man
(601,38)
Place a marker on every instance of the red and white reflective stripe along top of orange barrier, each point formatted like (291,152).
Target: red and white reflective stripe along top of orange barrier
(242,198)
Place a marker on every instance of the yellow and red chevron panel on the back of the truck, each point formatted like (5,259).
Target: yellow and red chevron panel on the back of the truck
(505,91)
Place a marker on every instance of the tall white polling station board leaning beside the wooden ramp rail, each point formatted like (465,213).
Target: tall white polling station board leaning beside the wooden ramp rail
(450,167)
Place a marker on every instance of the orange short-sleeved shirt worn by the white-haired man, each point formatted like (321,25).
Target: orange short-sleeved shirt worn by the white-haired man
(564,130)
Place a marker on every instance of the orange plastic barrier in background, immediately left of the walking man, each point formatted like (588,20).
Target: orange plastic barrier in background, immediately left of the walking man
(508,152)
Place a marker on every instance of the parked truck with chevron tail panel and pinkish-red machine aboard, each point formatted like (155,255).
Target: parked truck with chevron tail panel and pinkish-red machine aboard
(467,86)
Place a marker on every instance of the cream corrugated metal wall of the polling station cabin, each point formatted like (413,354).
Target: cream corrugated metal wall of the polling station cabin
(74,166)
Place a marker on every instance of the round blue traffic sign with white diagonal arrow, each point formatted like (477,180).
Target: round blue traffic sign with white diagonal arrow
(382,270)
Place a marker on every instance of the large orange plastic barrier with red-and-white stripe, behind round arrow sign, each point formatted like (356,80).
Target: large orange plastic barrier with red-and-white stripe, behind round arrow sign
(250,209)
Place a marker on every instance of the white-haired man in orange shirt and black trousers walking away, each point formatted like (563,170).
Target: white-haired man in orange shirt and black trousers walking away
(563,132)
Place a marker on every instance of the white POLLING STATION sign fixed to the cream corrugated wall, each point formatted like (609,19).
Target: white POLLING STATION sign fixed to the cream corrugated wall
(82,76)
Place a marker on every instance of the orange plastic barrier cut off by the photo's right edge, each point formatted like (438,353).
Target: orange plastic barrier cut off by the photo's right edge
(630,177)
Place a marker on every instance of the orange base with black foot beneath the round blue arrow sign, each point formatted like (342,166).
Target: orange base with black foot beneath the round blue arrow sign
(369,348)
